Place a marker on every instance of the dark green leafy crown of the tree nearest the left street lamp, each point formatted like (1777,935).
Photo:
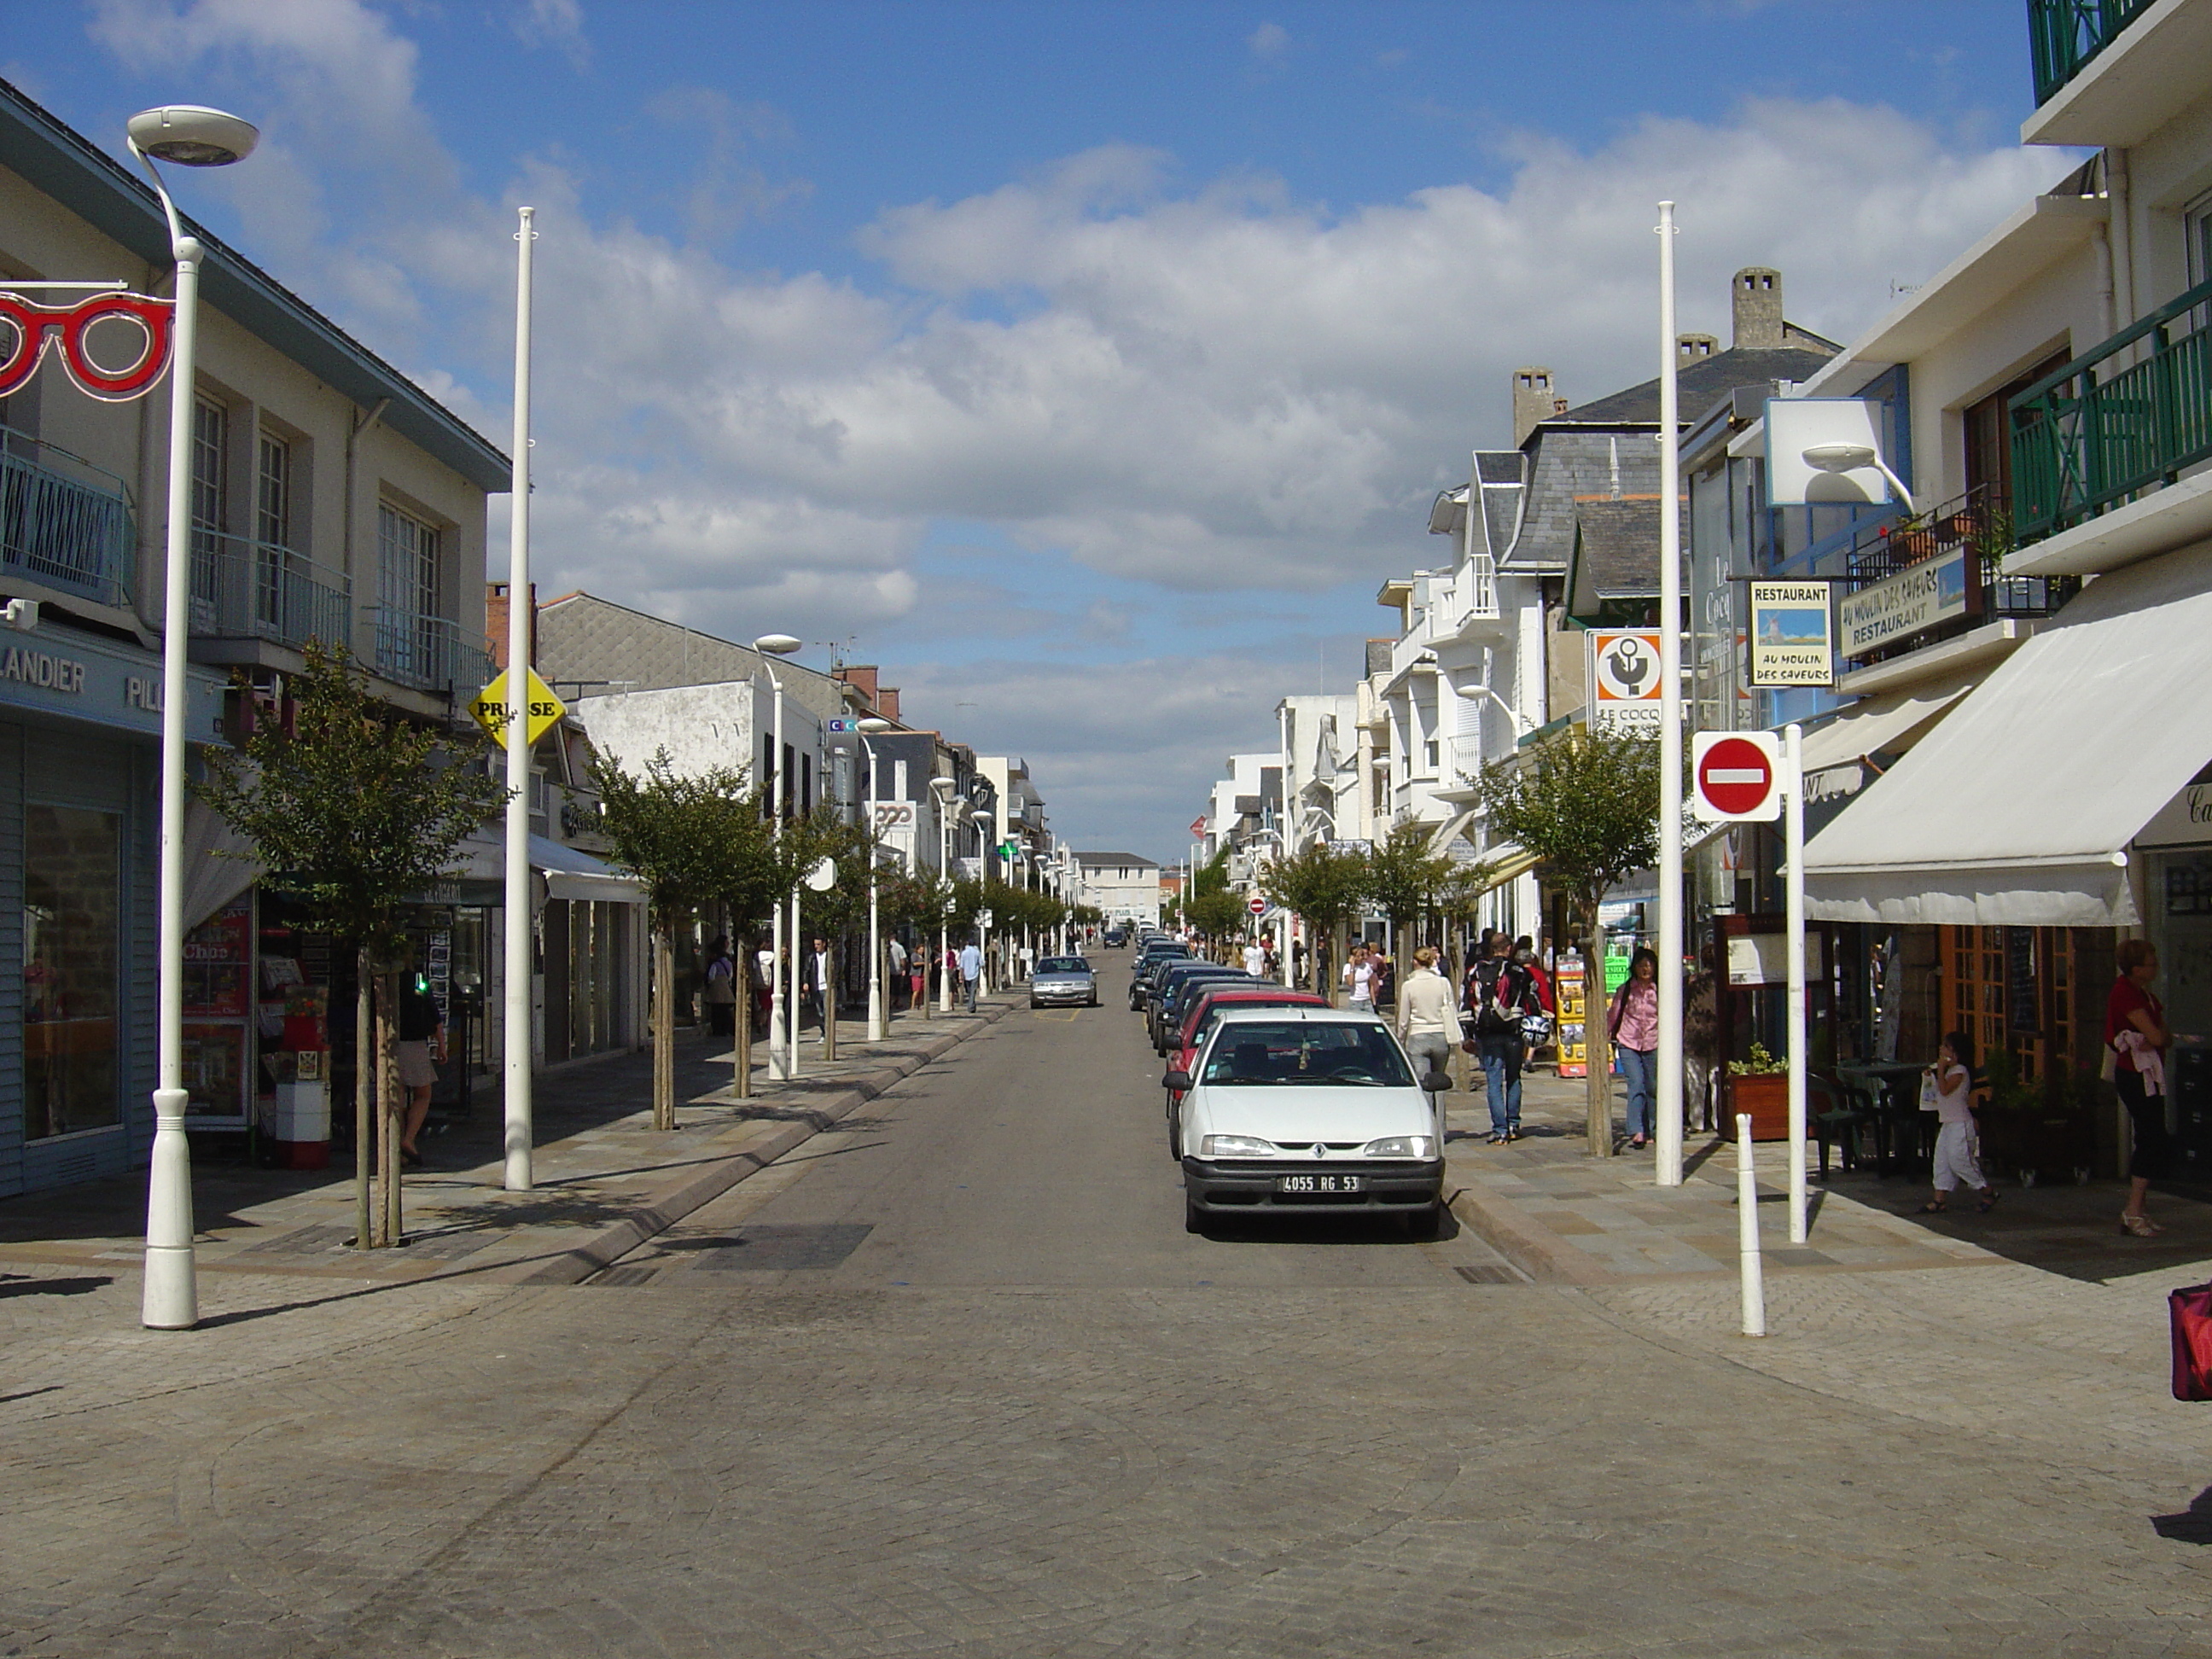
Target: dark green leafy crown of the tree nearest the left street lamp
(355,813)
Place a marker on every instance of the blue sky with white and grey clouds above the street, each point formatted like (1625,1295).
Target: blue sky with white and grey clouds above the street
(1085,366)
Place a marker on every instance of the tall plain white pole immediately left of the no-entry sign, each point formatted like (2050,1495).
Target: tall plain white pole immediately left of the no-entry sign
(1669,1094)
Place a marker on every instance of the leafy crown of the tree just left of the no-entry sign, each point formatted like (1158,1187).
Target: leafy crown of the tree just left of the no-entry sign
(1587,804)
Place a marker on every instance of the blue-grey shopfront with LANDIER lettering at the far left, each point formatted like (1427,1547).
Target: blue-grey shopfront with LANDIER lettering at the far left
(81,720)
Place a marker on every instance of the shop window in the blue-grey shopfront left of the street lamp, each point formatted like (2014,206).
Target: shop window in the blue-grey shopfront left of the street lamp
(72,970)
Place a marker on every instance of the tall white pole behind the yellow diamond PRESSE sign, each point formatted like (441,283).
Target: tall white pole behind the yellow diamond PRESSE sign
(521,1036)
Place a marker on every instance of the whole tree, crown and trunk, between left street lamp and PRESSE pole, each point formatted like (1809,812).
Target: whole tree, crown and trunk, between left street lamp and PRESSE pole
(357,815)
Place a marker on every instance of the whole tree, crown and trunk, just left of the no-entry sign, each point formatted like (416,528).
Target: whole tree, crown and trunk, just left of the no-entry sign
(1587,806)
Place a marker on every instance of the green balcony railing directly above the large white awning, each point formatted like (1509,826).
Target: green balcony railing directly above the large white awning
(2120,419)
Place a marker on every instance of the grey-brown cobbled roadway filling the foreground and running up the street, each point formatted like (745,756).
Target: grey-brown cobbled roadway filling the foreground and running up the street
(952,1379)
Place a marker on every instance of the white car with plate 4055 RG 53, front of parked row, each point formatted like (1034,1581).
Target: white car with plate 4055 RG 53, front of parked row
(1308,1112)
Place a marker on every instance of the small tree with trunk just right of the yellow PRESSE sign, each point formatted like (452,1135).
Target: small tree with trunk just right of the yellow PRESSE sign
(689,842)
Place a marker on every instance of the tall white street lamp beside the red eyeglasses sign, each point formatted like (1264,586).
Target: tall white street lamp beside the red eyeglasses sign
(194,138)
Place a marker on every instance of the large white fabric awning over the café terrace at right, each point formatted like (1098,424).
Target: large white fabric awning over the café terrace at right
(2021,804)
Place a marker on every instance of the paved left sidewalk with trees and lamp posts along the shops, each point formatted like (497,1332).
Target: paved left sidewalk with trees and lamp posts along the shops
(605,1178)
